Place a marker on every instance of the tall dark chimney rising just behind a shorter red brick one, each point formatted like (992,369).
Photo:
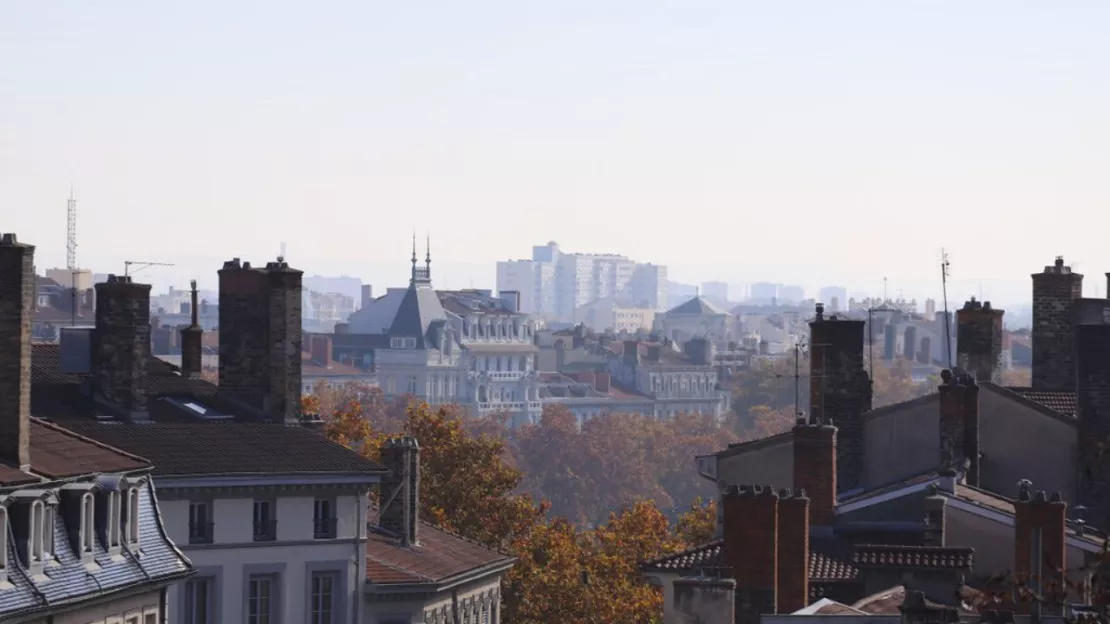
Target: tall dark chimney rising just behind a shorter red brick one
(841,389)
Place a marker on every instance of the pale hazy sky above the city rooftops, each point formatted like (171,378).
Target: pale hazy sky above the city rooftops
(810,143)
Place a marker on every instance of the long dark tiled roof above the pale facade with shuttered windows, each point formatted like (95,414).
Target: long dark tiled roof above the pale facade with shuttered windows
(229,448)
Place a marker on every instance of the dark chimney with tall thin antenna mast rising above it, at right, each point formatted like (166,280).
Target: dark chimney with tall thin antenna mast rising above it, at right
(960,422)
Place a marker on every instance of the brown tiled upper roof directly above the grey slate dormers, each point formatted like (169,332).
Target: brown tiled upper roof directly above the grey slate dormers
(59,454)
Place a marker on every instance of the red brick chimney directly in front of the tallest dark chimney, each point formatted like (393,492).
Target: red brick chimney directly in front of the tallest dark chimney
(815,457)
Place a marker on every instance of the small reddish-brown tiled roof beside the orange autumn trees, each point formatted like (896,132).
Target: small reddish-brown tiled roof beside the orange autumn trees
(440,557)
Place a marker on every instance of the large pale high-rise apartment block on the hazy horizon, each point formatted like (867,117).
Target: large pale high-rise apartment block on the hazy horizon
(553,285)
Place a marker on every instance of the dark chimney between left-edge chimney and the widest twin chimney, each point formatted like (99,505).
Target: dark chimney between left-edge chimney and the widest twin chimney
(122,345)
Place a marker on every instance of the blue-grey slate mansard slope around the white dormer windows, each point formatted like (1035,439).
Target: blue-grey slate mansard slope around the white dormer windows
(72,583)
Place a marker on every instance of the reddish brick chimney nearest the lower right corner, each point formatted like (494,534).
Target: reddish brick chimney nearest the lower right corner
(1041,518)
